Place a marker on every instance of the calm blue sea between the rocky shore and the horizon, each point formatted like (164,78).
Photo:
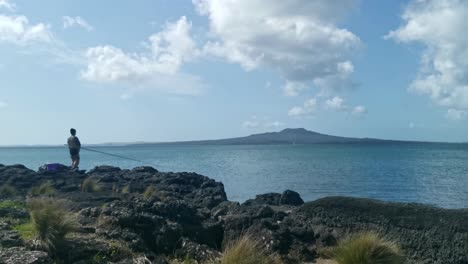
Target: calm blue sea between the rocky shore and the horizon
(435,174)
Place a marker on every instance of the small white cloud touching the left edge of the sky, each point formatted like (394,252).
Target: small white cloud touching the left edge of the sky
(18,30)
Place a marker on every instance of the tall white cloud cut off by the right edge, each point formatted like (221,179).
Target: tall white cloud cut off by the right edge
(441,26)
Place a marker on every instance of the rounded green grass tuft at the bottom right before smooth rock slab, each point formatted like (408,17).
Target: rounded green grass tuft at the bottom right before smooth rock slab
(367,248)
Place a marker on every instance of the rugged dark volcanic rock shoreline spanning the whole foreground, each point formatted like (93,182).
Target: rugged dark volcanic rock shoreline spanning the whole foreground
(189,215)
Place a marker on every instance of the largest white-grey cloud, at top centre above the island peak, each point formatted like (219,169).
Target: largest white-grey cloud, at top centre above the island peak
(300,38)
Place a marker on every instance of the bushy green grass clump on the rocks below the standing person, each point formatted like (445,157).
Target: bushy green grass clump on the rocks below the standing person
(51,221)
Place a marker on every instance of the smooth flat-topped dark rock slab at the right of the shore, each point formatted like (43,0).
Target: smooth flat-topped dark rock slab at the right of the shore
(427,234)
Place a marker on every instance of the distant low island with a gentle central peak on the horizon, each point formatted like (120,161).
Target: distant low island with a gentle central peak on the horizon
(286,136)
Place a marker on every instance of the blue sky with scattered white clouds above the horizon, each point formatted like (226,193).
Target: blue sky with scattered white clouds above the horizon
(168,70)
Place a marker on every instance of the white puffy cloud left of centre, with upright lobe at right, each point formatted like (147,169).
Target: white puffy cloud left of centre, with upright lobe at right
(159,68)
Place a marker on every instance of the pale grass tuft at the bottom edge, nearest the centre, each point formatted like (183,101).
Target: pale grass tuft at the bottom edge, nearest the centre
(247,250)
